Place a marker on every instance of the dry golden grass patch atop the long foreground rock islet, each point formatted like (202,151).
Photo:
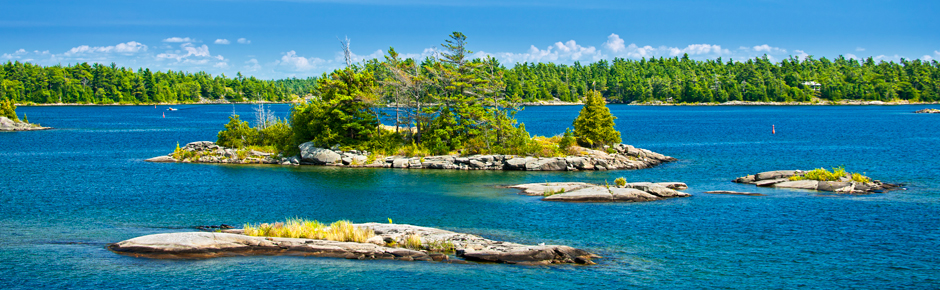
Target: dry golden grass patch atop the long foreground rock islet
(342,231)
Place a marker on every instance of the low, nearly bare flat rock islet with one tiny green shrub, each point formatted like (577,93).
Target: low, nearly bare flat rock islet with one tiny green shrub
(587,192)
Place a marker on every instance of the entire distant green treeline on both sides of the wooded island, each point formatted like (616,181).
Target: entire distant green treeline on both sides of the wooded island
(679,80)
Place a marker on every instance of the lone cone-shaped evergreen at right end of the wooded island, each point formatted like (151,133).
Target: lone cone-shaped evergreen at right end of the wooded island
(594,126)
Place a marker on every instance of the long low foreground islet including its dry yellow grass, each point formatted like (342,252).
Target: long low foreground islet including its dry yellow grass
(367,241)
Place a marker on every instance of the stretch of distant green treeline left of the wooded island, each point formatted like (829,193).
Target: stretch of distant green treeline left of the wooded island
(101,84)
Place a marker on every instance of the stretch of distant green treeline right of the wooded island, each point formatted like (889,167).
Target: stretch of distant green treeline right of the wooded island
(684,80)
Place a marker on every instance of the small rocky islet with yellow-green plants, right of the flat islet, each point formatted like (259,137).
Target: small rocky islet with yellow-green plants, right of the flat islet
(820,179)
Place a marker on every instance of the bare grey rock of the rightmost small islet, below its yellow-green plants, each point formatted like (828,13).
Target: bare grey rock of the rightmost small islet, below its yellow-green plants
(781,179)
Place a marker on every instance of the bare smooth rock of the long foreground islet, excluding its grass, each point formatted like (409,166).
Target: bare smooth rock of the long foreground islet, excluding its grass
(199,245)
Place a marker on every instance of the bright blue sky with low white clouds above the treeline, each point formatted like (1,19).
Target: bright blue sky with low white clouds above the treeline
(278,39)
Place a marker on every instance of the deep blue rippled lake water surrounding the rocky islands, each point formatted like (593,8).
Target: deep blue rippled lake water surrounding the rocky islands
(66,193)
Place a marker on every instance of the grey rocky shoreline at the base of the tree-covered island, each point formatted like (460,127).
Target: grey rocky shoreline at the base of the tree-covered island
(625,157)
